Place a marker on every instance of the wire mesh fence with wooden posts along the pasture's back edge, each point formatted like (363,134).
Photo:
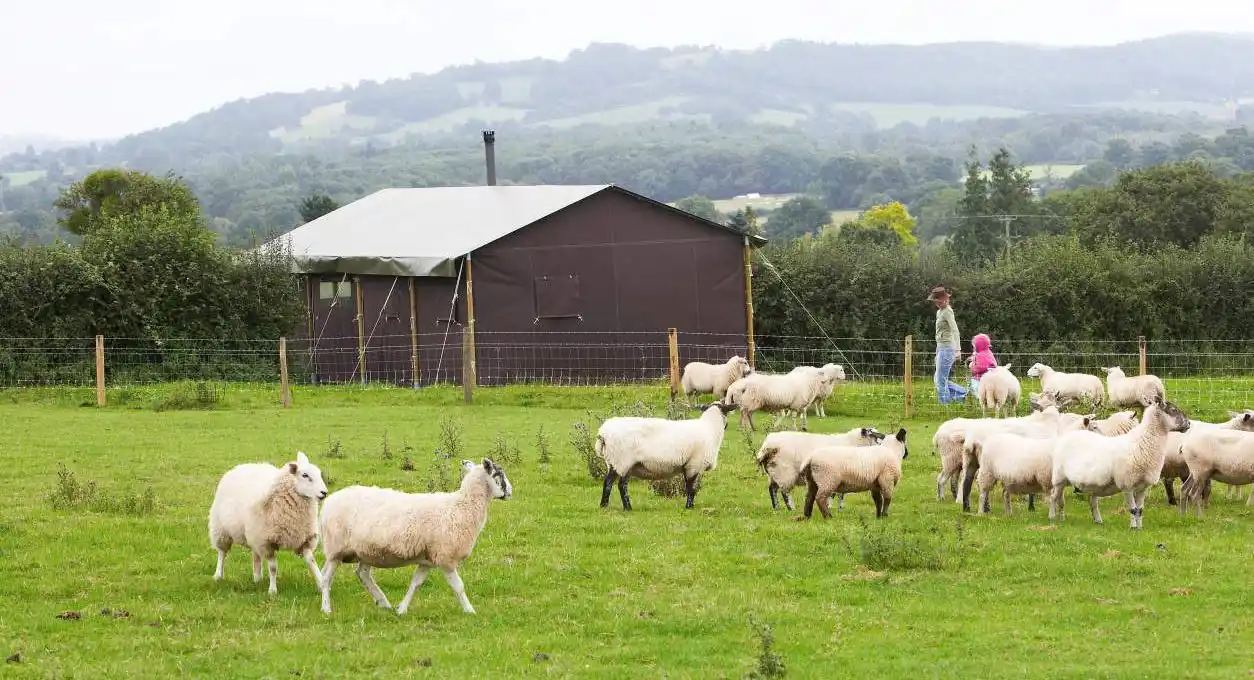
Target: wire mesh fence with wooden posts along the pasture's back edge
(883,376)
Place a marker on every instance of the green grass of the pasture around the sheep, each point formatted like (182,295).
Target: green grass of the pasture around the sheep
(564,588)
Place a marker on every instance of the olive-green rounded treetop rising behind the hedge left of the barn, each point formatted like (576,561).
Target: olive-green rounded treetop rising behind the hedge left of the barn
(90,203)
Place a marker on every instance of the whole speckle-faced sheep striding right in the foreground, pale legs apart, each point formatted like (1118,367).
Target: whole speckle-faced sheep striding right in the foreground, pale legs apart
(387,529)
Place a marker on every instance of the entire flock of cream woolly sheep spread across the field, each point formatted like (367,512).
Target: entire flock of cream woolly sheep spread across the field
(1048,454)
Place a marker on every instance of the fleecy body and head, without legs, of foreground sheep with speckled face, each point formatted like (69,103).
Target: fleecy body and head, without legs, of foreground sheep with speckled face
(383,528)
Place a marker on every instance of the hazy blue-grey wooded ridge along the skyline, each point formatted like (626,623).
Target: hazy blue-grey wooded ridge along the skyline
(806,86)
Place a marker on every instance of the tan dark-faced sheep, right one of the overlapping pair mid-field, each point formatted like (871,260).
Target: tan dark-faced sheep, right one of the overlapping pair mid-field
(852,470)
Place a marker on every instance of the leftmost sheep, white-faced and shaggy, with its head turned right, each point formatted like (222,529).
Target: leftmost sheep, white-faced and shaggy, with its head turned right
(268,510)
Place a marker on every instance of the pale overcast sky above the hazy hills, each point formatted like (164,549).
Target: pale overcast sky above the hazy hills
(81,68)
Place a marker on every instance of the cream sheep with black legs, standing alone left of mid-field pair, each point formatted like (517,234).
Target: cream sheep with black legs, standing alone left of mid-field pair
(656,449)
